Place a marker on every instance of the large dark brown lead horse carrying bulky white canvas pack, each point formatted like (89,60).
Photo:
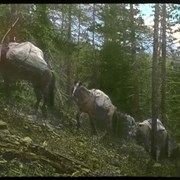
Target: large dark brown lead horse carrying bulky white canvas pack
(24,61)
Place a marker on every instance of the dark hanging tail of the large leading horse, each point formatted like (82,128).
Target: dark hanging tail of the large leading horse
(51,90)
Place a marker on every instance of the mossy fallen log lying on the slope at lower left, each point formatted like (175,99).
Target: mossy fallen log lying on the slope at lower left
(60,162)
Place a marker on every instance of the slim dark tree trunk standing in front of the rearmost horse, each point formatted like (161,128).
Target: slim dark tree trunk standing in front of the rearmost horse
(155,84)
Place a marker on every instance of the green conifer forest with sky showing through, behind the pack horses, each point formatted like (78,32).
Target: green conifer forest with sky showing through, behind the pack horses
(106,46)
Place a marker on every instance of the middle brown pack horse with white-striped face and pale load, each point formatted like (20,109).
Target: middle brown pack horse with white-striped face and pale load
(96,104)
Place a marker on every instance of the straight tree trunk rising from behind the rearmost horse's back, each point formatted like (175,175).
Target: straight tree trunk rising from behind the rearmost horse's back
(163,67)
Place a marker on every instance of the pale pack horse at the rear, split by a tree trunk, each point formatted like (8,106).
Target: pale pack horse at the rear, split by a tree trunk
(143,132)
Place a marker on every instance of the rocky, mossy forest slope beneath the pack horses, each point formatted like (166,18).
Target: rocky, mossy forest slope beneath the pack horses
(34,146)
